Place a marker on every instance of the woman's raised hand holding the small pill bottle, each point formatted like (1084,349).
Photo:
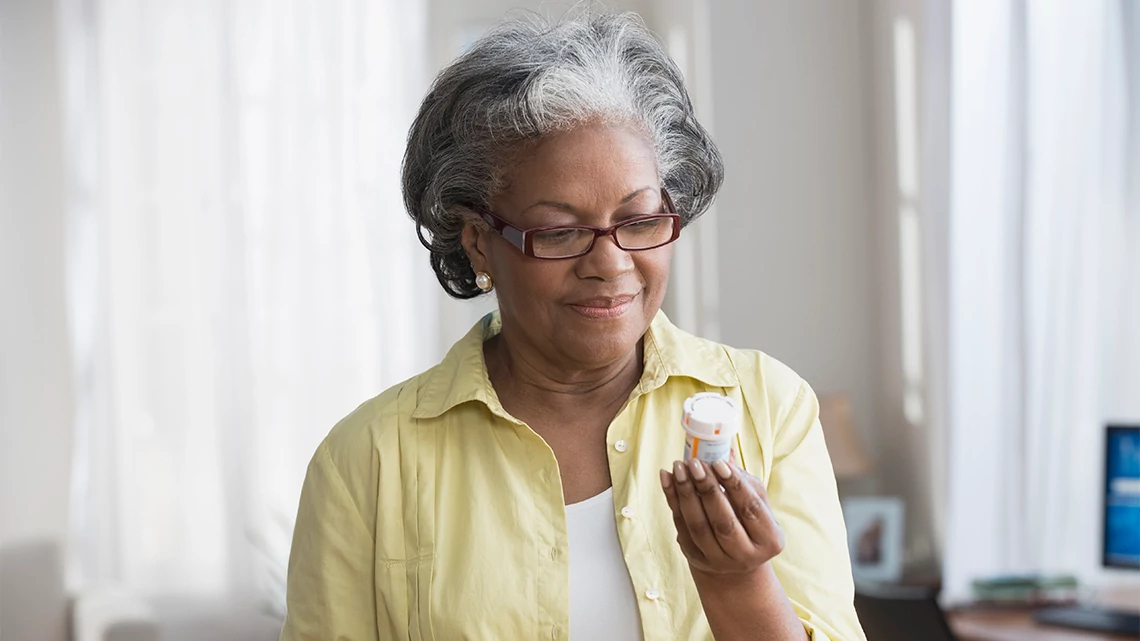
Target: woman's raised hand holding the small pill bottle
(730,532)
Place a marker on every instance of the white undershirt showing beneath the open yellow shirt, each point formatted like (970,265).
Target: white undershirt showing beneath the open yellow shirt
(604,604)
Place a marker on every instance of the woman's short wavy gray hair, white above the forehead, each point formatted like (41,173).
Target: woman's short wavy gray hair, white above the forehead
(528,79)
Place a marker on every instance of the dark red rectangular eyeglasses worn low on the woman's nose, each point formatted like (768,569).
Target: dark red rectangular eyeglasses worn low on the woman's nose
(572,241)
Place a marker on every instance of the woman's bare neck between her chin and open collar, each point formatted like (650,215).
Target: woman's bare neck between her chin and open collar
(525,377)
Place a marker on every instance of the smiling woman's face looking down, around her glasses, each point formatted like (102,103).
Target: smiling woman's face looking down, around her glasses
(590,311)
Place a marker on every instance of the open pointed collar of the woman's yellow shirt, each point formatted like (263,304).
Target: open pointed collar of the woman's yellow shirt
(670,352)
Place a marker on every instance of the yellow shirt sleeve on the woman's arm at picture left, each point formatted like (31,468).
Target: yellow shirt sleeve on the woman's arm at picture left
(331,589)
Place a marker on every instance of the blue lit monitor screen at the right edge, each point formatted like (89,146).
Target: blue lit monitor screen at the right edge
(1122,498)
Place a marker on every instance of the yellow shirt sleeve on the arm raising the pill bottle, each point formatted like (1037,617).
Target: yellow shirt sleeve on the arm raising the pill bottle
(815,567)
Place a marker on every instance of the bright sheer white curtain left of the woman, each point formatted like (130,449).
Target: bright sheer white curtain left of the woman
(242,270)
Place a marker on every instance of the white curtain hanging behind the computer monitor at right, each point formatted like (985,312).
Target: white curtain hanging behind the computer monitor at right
(1045,280)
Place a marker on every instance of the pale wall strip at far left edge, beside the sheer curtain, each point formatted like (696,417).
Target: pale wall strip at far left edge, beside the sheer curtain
(36,399)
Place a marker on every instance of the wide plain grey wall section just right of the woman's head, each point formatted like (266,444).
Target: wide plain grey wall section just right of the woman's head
(796,229)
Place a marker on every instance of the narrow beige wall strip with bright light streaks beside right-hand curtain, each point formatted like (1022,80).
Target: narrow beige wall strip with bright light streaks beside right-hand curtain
(909,463)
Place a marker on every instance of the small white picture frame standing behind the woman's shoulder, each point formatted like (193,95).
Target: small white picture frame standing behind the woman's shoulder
(875,538)
